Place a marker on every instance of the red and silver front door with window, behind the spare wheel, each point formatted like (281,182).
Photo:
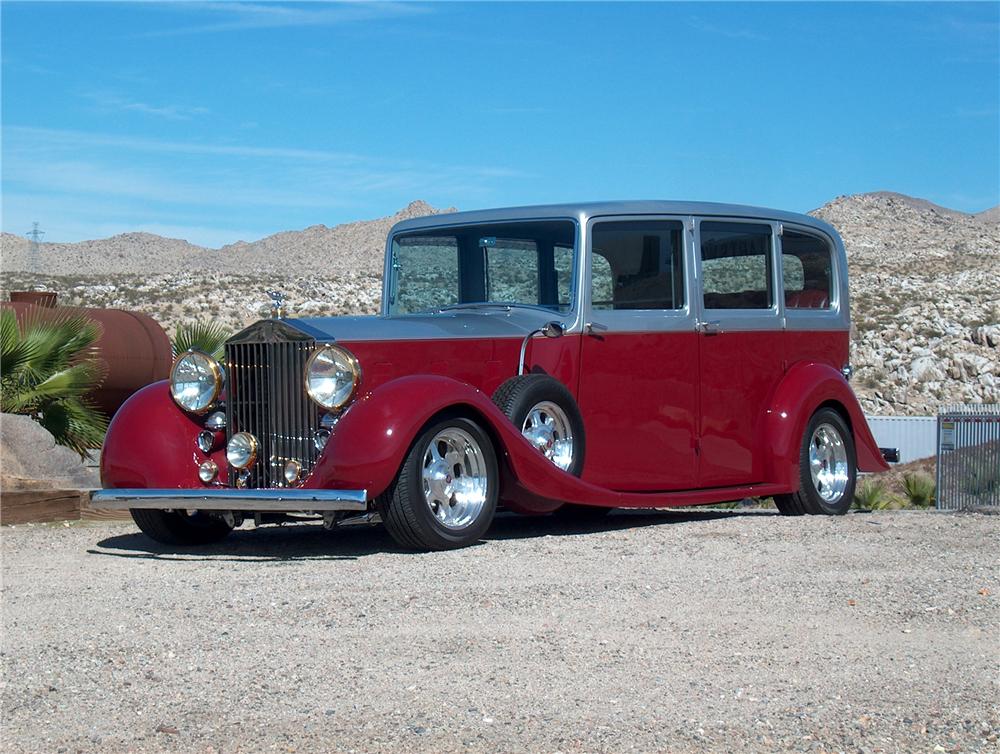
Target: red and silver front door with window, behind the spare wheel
(638,388)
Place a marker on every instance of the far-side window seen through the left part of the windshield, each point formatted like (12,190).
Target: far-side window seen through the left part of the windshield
(426,273)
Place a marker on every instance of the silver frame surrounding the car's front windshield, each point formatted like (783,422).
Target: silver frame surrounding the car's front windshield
(390,272)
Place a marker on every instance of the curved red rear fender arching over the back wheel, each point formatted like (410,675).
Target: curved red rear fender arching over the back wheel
(806,387)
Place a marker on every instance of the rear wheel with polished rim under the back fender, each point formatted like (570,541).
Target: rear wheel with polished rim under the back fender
(828,468)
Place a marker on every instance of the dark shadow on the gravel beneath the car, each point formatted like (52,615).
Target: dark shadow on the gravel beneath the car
(310,541)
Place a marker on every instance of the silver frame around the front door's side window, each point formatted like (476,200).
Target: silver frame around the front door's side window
(639,320)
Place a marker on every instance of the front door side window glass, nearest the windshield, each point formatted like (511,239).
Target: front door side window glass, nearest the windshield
(637,265)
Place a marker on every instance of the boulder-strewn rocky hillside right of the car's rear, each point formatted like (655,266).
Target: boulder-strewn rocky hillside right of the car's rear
(925,286)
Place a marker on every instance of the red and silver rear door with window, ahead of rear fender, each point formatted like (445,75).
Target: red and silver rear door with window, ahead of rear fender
(740,346)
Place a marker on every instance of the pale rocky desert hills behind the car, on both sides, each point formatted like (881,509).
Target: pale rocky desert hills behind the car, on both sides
(925,284)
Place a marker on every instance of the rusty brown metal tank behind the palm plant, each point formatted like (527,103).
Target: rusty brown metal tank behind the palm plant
(134,347)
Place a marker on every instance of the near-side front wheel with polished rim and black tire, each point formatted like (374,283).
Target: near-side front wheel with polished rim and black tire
(445,494)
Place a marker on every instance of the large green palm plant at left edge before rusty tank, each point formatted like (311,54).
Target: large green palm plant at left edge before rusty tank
(48,365)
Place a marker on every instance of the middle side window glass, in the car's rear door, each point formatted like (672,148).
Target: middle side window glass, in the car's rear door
(736,265)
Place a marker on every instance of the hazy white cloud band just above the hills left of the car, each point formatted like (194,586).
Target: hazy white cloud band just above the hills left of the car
(71,180)
